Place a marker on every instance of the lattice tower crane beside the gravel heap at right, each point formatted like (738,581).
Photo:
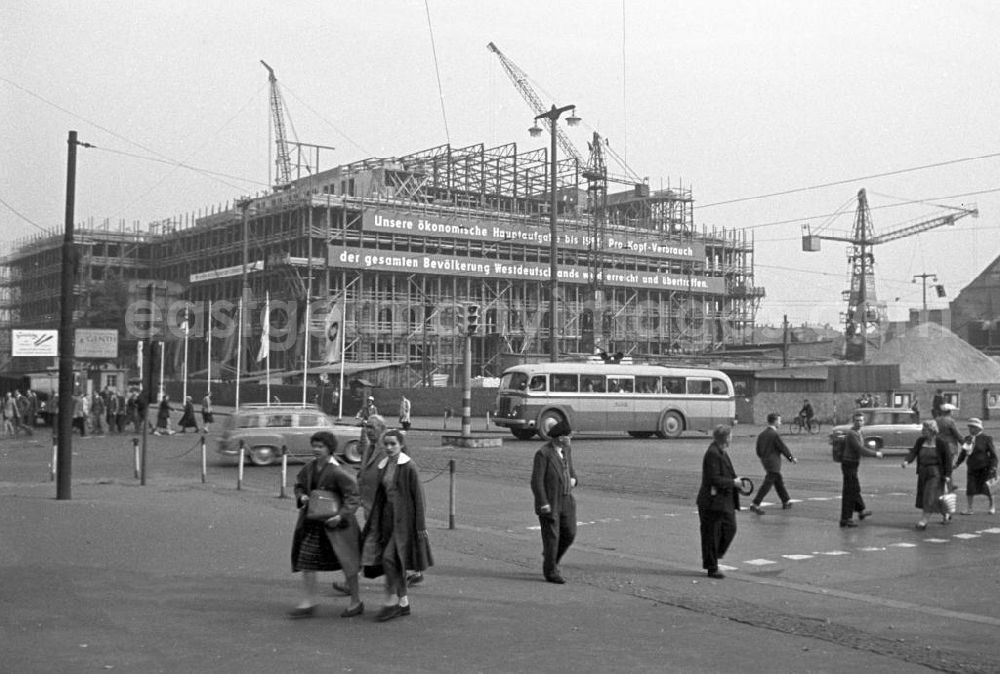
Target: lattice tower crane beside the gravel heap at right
(865,315)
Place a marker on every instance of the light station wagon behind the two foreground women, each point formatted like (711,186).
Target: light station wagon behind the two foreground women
(265,430)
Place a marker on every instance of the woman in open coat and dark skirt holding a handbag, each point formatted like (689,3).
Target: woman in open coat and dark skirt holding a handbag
(330,543)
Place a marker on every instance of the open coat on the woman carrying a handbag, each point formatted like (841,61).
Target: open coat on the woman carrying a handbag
(344,541)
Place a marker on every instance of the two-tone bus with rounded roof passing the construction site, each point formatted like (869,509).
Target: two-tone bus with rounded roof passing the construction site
(641,400)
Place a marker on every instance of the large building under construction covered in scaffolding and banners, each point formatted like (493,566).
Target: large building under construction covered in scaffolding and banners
(397,248)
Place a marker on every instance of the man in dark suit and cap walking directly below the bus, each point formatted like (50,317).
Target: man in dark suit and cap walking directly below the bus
(552,482)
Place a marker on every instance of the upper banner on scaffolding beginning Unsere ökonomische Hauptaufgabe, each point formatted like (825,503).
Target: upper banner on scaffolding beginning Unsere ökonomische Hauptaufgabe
(389,220)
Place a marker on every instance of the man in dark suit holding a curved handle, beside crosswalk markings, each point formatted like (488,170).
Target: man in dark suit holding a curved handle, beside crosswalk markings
(718,500)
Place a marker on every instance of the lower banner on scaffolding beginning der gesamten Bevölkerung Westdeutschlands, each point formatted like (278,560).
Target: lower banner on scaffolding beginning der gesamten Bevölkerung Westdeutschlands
(342,257)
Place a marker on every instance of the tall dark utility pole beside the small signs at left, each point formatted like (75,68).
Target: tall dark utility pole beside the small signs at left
(64,439)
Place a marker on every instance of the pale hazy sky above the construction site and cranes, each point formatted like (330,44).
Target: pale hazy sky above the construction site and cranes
(774,113)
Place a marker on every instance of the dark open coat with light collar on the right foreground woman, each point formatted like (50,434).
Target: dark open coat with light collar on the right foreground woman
(407,528)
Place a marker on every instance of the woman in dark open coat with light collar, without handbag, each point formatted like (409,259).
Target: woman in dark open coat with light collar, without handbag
(395,535)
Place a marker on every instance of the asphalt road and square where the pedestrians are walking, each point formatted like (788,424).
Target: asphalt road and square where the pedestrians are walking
(181,575)
